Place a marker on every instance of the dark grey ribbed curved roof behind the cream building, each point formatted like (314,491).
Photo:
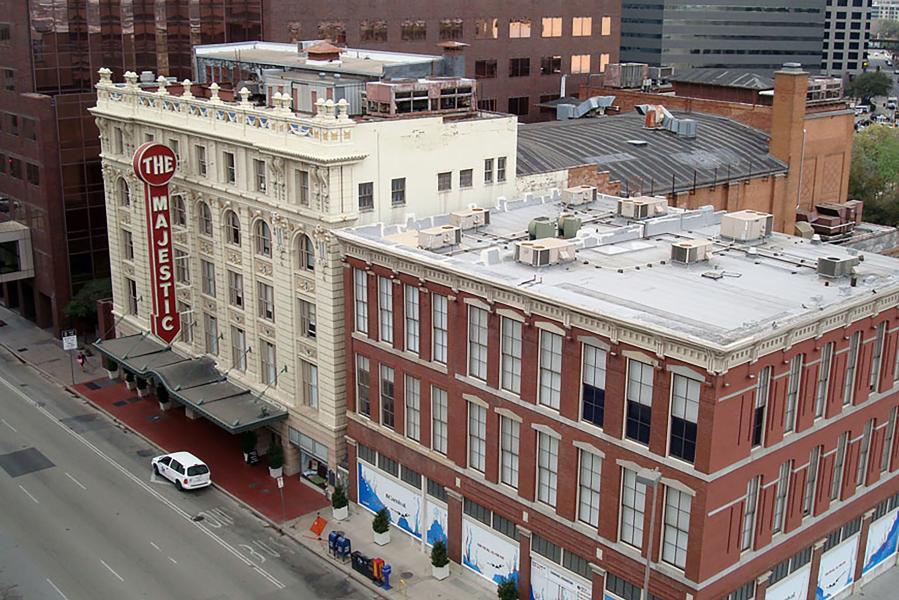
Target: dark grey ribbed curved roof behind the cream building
(648,161)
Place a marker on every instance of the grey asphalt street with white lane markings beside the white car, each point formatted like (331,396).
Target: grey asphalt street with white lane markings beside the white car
(82,516)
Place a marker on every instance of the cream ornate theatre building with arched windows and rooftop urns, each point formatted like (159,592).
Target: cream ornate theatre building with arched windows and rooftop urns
(257,190)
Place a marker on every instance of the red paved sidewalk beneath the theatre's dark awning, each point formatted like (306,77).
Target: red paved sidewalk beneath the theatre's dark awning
(217,448)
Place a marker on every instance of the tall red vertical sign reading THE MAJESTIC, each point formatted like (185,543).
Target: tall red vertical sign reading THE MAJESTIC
(154,164)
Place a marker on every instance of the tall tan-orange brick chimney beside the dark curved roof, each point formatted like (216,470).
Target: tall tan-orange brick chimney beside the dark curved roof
(788,138)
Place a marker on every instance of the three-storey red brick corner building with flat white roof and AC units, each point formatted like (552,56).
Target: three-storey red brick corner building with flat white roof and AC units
(529,412)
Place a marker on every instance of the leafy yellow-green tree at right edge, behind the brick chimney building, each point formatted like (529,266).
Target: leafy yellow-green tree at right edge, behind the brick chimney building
(874,176)
